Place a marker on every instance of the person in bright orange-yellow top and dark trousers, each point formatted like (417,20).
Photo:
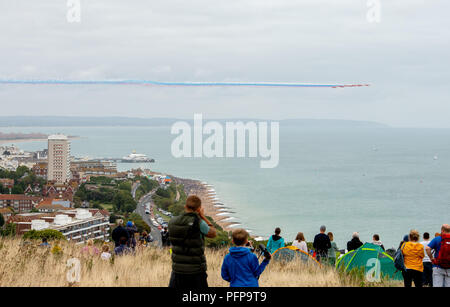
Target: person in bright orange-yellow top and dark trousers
(413,258)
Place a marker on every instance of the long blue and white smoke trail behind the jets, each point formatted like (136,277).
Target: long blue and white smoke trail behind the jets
(185,83)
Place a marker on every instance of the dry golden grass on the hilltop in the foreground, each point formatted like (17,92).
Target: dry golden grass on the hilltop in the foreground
(30,265)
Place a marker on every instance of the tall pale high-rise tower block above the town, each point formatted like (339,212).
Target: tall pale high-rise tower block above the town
(58,158)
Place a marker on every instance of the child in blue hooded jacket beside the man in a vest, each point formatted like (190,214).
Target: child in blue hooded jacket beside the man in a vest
(240,266)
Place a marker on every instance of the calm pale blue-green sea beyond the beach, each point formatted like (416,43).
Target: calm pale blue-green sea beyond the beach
(372,180)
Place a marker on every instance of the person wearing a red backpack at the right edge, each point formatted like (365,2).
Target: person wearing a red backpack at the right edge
(441,258)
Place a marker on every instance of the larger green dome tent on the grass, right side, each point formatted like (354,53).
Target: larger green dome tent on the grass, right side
(372,260)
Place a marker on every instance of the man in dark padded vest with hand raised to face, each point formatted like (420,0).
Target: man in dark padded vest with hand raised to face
(187,234)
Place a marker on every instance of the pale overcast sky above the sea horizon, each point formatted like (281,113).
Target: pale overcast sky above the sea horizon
(404,57)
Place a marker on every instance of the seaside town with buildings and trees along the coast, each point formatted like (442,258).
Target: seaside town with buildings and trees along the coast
(47,189)
